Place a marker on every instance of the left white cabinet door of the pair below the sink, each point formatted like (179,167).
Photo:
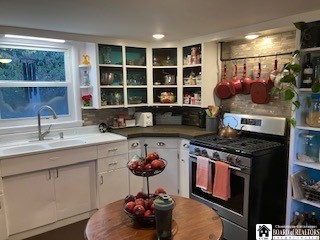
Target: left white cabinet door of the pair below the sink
(29,200)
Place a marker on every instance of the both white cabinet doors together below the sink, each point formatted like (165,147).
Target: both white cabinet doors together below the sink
(39,198)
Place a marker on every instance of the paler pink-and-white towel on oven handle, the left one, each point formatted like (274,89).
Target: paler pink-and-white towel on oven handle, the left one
(204,174)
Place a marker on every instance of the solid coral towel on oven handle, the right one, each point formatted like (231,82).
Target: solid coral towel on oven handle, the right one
(221,185)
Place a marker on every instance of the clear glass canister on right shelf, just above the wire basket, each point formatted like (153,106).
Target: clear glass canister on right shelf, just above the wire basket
(311,145)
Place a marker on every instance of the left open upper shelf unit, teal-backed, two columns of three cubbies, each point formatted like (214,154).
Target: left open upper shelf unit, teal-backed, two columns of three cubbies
(122,75)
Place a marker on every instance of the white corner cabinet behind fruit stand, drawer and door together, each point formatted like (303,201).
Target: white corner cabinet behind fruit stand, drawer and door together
(167,148)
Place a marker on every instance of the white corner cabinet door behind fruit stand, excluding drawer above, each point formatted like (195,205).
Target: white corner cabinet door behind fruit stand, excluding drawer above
(168,179)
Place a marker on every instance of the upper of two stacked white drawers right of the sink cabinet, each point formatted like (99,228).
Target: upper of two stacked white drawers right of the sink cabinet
(112,149)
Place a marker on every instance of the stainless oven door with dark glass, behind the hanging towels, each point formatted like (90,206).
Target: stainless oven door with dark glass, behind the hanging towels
(235,209)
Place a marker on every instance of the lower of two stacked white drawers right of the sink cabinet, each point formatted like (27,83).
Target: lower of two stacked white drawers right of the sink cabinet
(112,163)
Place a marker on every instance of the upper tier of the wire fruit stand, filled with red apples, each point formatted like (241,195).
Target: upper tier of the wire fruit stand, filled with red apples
(160,165)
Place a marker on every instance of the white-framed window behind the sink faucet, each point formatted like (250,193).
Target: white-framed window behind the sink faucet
(36,76)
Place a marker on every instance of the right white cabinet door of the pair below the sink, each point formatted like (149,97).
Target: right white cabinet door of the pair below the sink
(74,188)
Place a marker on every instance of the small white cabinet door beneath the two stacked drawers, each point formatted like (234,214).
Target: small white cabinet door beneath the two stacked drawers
(113,186)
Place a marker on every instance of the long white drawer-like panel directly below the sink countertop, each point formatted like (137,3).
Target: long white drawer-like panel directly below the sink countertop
(30,163)
